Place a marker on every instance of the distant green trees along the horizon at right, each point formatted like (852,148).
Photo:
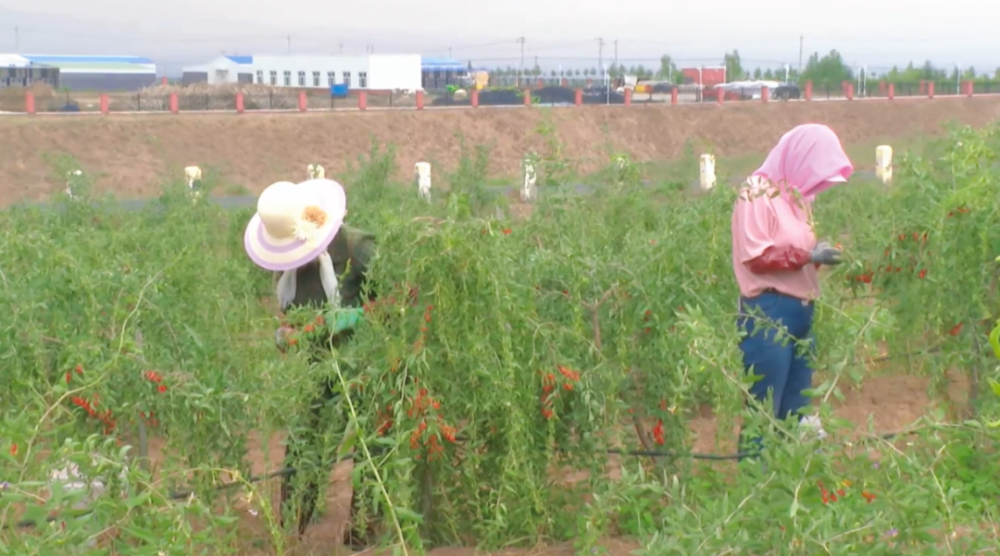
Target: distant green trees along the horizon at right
(828,70)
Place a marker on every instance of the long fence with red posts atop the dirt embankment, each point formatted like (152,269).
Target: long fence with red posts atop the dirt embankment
(553,92)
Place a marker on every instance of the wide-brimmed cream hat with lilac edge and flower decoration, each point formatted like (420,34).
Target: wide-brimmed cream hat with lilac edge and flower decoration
(294,223)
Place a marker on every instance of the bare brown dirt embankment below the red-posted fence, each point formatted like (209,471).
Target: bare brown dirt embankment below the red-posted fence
(130,154)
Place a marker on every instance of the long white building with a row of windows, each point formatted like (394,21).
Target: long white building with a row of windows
(371,72)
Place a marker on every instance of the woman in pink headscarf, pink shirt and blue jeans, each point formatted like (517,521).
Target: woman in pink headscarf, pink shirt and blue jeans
(775,259)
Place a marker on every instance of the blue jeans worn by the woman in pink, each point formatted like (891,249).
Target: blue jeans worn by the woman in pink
(779,359)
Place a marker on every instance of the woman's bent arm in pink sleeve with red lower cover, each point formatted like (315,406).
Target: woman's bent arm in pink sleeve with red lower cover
(754,238)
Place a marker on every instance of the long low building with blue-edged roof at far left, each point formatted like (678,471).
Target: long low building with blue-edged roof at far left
(78,73)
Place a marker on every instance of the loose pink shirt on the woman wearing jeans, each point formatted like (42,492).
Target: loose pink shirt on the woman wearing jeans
(763,218)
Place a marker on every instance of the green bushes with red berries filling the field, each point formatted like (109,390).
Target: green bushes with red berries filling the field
(508,367)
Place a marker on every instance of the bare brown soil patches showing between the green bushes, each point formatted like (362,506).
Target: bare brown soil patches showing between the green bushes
(900,400)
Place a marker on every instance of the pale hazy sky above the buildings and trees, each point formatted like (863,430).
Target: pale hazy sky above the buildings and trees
(877,34)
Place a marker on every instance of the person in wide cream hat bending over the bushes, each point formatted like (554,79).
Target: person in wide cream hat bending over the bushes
(299,231)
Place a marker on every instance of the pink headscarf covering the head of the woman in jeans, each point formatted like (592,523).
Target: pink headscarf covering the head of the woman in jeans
(809,159)
